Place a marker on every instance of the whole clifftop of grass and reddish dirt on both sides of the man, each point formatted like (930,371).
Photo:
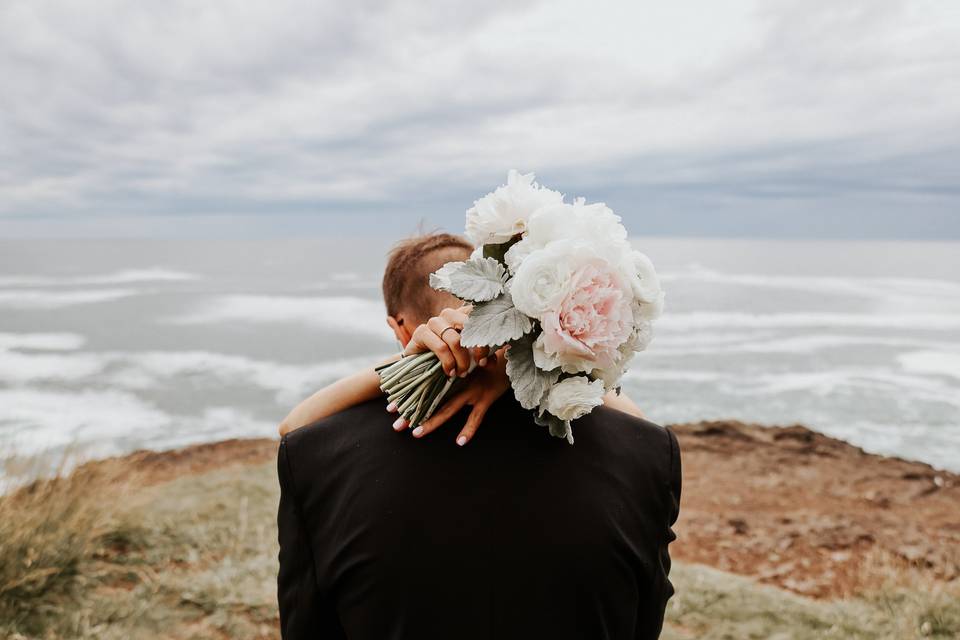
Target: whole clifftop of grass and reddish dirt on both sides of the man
(783,532)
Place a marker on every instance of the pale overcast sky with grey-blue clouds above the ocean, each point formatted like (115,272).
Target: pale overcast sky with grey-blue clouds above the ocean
(239,118)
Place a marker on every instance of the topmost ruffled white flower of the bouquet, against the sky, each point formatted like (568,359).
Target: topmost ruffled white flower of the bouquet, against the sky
(500,215)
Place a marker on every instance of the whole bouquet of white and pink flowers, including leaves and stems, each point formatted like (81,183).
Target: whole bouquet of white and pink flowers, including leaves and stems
(559,285)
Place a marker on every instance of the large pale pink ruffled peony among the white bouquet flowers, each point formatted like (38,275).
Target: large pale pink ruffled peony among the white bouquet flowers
(593,319)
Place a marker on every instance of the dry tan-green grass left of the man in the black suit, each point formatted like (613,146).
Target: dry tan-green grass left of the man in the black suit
(98,555)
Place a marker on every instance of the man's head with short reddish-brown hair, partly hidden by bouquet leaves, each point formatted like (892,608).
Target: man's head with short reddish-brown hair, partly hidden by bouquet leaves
(407,293)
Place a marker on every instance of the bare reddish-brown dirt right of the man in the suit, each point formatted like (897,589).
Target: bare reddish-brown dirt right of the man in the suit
(809,513)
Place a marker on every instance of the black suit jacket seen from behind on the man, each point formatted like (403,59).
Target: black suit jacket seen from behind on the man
(516,535)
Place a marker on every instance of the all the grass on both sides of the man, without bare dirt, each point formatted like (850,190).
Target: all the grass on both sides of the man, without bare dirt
(100,555)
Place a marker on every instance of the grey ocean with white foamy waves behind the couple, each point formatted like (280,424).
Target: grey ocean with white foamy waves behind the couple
(111,346)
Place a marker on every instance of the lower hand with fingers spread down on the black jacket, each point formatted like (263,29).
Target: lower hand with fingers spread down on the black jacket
(484,386)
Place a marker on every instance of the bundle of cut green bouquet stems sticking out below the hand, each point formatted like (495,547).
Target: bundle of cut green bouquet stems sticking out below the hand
(416,384)
